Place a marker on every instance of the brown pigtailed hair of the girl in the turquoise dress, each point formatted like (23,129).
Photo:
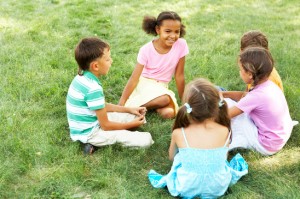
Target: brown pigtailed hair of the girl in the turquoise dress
(203,97)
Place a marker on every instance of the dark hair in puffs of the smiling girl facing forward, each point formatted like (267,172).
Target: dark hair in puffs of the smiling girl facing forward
(150,22)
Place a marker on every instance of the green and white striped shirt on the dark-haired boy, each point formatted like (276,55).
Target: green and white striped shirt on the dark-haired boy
(85,95)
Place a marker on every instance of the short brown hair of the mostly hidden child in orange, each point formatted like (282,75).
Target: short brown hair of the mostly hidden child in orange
(254,38)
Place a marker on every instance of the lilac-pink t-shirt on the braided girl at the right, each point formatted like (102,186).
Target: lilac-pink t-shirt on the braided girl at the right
(267,107)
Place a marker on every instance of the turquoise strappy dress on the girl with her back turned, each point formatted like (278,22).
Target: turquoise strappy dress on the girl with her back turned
(203,172)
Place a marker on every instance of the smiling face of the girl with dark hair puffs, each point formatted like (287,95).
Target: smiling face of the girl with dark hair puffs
(169,32)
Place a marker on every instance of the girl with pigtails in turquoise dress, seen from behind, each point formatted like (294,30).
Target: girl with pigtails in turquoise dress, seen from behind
(199,147)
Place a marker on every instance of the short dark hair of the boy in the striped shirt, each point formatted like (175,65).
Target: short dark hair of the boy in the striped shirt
(87,50)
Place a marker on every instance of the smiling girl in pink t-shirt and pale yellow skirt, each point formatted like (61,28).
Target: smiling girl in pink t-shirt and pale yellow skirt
(157,62)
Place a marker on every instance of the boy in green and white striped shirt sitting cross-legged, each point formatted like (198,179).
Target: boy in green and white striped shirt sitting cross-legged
(91,120)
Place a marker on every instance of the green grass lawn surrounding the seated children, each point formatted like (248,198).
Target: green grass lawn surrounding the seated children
(37,39)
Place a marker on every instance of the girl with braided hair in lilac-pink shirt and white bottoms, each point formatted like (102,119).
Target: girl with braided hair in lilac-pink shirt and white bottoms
(260,120)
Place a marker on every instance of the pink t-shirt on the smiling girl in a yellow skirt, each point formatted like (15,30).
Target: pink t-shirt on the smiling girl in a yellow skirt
(161,66)
